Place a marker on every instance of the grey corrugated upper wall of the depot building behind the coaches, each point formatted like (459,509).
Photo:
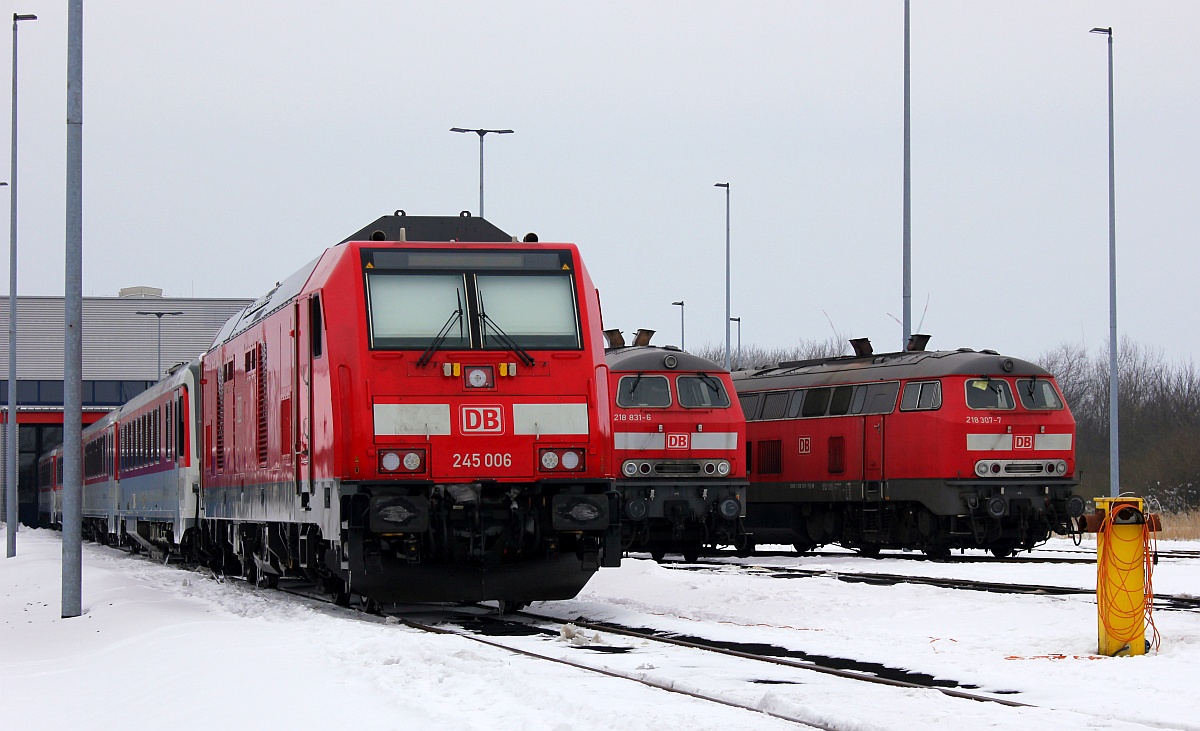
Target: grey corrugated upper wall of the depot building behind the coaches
(118,345)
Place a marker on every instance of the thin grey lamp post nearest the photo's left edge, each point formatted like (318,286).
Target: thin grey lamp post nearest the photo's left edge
(11,453)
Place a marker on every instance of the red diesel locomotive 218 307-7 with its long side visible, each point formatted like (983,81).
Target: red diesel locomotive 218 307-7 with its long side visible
(933,451)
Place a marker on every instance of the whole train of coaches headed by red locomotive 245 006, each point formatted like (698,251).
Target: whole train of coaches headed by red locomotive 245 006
(419,415)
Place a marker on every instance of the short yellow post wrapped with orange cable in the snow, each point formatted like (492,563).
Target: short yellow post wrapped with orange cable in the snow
(1121,548)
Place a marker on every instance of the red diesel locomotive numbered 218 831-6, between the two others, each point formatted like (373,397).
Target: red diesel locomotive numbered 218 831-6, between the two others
(677,447)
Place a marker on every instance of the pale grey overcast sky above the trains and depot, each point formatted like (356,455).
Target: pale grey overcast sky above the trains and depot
(229,143)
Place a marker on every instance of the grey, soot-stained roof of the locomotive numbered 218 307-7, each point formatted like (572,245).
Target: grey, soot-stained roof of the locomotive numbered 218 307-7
(886,367)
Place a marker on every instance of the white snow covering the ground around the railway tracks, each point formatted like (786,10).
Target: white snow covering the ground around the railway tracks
(184,651)
